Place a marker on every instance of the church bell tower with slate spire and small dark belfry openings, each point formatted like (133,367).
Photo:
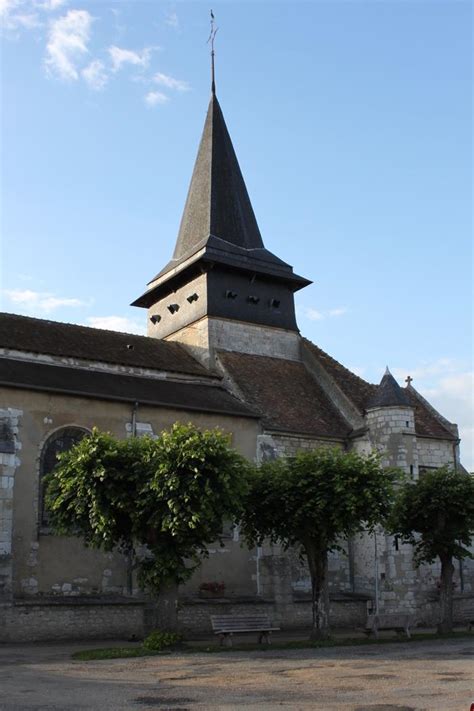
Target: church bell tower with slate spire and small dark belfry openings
(221,278)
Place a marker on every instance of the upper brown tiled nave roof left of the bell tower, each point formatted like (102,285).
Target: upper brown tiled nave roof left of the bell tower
(34,335)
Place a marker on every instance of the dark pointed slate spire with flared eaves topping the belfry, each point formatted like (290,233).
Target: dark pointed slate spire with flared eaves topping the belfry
(218,225)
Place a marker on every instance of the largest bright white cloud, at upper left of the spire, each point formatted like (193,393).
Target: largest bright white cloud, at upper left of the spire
(67,43)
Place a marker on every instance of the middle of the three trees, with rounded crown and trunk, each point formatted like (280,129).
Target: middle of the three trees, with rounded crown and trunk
(311,501)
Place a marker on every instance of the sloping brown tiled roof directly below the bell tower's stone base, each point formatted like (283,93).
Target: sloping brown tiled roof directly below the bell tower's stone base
(285,394)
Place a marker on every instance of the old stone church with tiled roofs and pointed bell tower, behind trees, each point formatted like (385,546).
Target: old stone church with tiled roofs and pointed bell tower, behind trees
(223,349)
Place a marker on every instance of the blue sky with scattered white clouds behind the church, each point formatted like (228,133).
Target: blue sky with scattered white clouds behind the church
(353,128)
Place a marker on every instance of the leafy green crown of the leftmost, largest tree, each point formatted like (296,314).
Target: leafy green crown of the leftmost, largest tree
(168,495)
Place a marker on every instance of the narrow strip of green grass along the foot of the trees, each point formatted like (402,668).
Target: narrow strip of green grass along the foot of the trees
(128,652)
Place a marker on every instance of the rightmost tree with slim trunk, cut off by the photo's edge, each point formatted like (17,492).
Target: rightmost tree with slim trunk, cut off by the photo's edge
(436,515)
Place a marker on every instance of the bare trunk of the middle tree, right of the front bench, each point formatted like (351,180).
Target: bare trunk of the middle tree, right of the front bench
(318,568)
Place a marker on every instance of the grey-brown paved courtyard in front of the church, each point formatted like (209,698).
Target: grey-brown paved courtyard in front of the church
(398,677)
